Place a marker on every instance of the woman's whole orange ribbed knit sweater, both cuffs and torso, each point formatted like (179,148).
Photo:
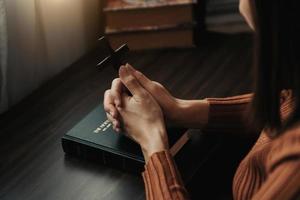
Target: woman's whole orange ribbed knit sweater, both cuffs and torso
(271,170)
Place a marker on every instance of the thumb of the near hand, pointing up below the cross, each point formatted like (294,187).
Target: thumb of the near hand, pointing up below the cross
(130,81)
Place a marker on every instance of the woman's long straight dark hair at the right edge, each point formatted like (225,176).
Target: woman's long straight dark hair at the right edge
(277,60)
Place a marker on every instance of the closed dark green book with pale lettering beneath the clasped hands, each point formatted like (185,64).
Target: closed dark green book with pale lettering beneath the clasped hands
(94,139)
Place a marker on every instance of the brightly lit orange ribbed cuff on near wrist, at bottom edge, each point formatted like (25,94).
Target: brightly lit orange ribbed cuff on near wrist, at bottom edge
(162,179)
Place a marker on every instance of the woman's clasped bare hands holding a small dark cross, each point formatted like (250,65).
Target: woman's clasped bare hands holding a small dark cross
(133,110)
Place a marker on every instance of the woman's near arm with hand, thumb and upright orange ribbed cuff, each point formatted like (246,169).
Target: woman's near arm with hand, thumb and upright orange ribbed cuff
(143,121)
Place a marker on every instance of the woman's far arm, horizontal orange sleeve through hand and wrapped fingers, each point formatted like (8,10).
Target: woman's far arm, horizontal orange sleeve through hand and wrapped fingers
(212,114)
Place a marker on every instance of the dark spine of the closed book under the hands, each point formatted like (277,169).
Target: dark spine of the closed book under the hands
(102,157)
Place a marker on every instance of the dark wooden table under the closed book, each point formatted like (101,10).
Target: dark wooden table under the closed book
(32,163)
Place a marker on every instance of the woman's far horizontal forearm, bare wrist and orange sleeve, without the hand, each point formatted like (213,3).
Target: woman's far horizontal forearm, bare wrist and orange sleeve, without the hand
(214,114)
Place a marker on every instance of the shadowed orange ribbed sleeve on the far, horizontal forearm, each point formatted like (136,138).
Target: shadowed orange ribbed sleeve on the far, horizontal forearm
(229,114)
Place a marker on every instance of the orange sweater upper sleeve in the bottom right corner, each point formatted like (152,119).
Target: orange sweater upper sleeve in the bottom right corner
(283,170)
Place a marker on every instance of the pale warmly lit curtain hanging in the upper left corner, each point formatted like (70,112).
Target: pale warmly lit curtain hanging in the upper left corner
(46,36)
